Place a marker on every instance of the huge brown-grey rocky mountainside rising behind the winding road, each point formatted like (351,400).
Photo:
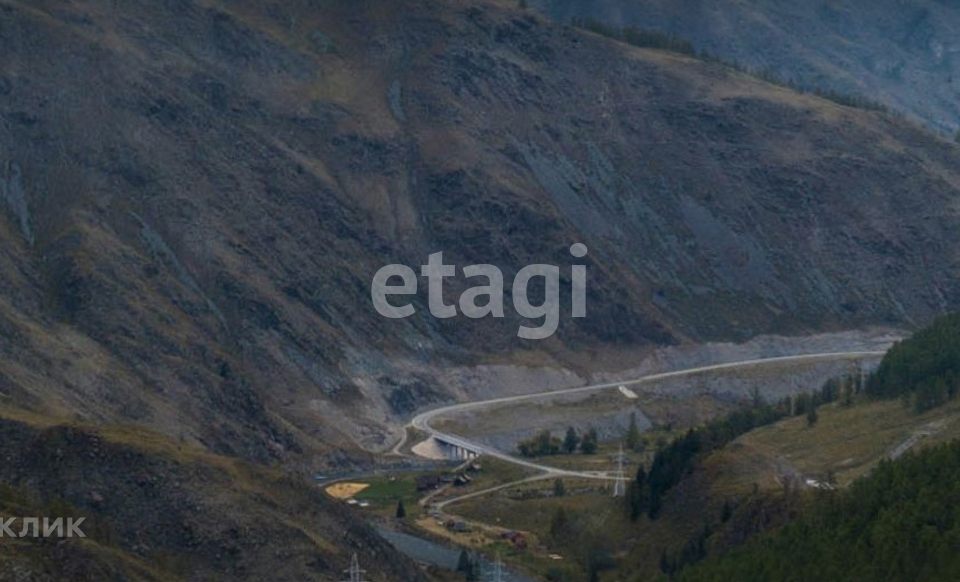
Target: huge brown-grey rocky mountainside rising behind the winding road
(197,195)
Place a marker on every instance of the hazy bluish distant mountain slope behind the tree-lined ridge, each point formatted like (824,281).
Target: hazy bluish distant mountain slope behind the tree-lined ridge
(901,53)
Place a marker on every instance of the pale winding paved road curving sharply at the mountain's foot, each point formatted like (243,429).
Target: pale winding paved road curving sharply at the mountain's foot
(421,422)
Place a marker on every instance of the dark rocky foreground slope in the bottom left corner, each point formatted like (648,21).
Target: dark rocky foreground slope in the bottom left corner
(160,510)
